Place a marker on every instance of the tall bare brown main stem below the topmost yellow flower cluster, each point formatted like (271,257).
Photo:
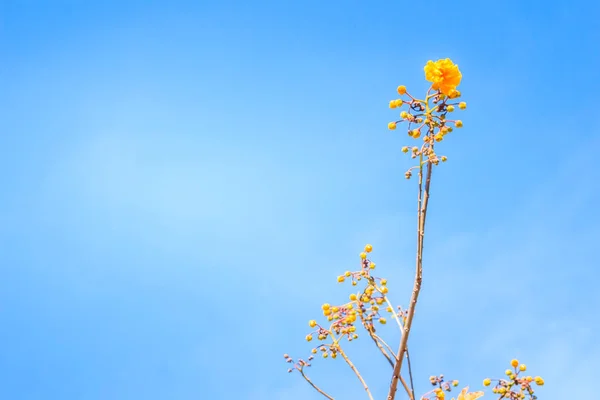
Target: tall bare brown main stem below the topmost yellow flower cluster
(422,213)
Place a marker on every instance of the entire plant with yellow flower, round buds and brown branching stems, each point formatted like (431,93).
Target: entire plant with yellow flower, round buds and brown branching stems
(368,307)
